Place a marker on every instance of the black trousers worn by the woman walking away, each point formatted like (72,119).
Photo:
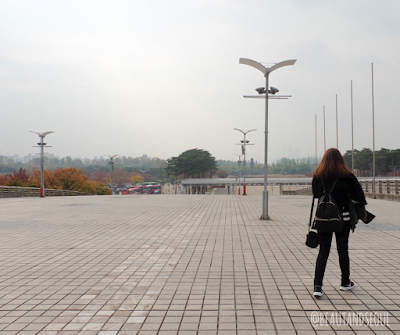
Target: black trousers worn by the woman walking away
(342,243)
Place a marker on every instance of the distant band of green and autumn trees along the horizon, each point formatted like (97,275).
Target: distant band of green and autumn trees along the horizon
(196,163)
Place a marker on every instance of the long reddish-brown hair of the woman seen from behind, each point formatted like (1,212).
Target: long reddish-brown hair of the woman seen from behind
(332,166)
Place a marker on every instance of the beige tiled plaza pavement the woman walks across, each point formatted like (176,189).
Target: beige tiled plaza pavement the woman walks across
(188,265)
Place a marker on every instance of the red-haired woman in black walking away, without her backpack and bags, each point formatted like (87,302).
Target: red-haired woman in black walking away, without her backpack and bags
(333,169)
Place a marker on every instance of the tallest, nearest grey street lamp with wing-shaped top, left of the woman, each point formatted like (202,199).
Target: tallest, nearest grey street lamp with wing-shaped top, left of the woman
(266,71)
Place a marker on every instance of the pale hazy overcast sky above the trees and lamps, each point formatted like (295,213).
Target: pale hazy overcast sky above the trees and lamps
(161,77)
